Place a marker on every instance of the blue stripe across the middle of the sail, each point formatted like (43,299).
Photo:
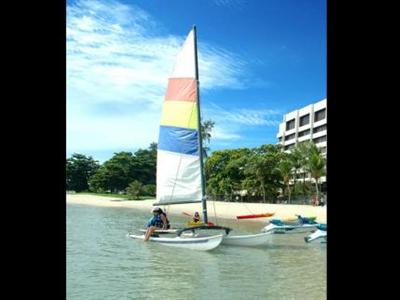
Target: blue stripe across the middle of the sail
(179,140)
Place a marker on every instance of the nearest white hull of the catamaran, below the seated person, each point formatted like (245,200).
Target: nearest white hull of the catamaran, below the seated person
(194,243)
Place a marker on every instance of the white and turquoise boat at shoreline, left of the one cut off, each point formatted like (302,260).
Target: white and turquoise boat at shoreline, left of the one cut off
(301,225)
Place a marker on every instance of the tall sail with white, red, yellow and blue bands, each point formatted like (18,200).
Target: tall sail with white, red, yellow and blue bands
(178,153)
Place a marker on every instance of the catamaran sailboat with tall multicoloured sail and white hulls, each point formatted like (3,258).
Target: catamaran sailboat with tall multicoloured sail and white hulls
(180,169)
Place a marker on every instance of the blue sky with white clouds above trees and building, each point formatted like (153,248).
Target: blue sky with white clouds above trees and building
(258,59)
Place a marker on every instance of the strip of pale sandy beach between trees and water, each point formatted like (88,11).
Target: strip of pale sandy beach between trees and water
(224,210)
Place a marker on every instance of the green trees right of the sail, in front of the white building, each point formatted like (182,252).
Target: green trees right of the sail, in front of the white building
(265,173)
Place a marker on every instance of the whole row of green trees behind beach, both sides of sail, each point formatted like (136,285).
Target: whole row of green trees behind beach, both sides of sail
(264,173)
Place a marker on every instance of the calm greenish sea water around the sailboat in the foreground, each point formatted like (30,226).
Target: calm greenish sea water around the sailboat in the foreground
(102,263)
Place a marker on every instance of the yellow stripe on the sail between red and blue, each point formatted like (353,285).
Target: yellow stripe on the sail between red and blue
(179,114)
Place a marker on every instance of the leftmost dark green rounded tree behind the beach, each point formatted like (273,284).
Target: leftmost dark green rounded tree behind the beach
(79,168)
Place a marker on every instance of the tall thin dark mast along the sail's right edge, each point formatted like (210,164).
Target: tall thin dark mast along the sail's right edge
(203,186)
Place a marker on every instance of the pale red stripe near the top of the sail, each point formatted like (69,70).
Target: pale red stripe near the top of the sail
(181,89)
